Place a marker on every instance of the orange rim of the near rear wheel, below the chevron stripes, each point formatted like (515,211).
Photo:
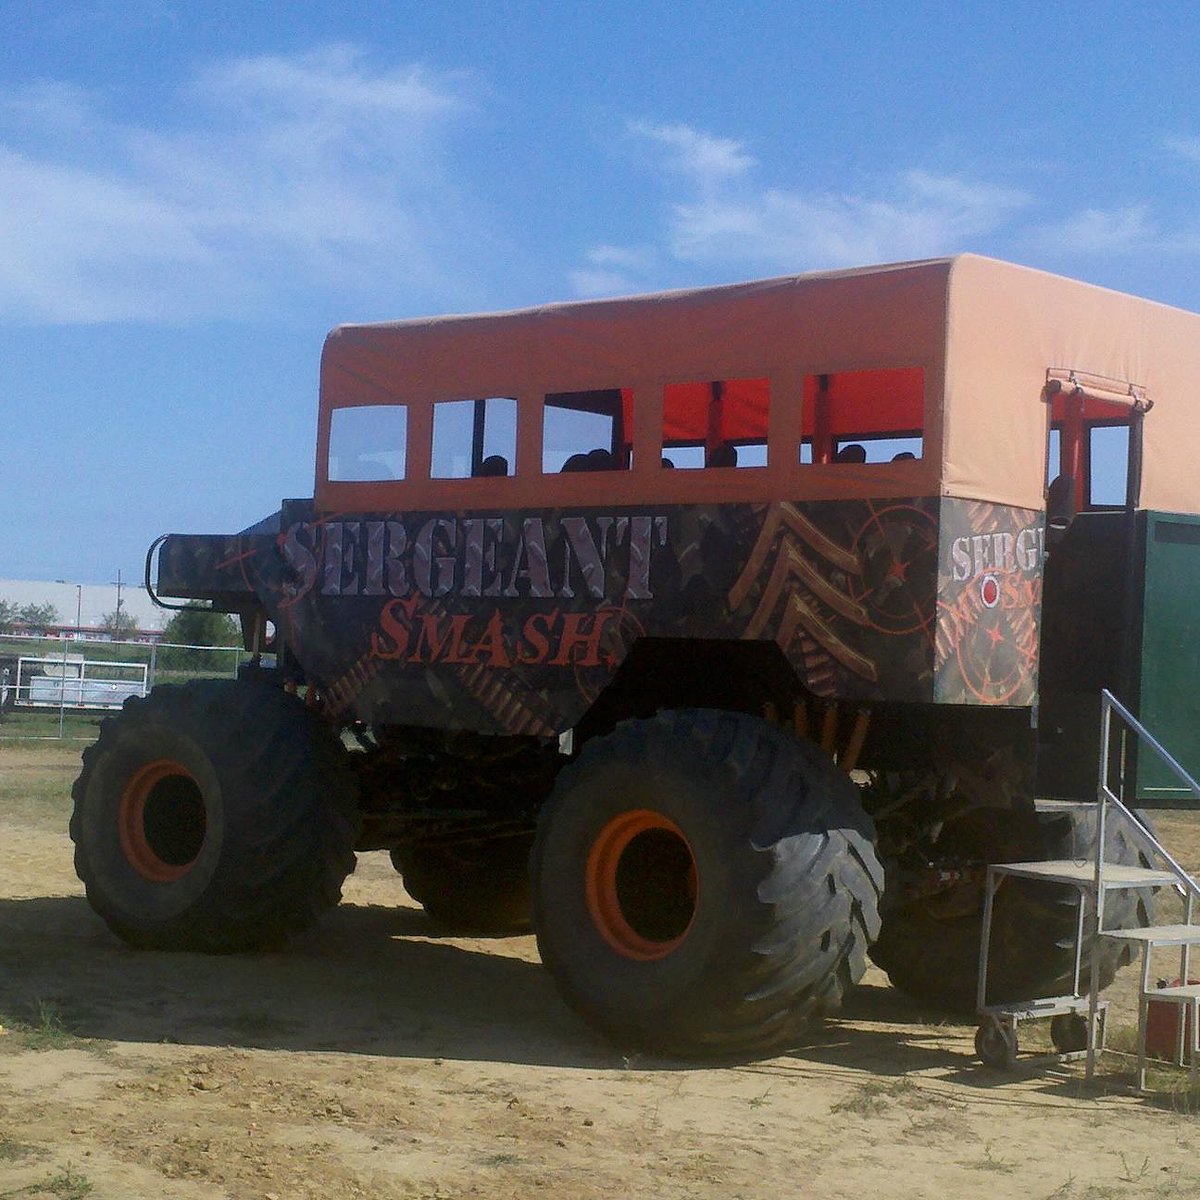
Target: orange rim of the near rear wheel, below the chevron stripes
(643,885)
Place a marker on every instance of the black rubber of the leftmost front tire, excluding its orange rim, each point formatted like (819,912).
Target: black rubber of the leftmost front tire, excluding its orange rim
(290,809)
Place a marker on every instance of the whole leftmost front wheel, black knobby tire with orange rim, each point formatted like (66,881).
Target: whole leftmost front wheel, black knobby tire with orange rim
(215,817)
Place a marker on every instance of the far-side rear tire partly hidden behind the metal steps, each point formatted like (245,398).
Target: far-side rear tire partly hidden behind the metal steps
(1033,951)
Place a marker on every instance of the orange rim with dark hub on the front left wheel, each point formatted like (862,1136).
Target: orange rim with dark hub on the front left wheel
(161,821)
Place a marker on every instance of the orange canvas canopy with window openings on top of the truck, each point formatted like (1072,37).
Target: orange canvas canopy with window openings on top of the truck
(965,346)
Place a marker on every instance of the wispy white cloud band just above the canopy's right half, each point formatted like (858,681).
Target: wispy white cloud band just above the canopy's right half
(724,220)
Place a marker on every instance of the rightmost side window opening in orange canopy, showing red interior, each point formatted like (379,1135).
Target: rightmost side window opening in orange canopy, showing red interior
(863,417)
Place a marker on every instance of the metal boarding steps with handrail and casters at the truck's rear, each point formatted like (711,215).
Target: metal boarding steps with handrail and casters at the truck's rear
(1079,1019)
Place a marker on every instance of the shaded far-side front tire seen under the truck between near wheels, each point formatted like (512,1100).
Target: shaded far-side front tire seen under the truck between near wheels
(471,889)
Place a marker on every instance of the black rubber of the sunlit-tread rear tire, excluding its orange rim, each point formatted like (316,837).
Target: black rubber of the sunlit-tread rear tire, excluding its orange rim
(805,905)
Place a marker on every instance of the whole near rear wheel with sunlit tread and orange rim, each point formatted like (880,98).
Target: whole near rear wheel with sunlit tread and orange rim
(705,885)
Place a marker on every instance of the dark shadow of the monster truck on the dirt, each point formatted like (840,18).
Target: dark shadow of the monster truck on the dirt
(371,980)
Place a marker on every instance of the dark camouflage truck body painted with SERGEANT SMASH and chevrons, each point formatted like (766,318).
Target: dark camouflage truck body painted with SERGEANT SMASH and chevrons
(518,622)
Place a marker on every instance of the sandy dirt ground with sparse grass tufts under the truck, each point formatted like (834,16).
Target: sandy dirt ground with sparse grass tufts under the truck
(377,1059)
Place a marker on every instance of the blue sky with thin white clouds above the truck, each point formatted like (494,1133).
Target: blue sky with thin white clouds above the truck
(193,195)
